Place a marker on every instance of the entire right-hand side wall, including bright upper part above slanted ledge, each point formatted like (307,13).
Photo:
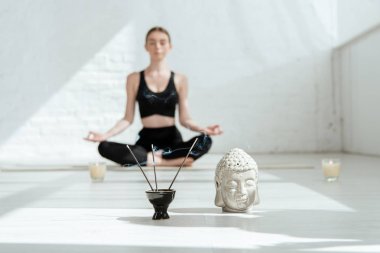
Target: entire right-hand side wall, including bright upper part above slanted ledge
(356,62)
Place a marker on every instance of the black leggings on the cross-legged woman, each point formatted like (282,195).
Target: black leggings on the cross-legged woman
(168,139)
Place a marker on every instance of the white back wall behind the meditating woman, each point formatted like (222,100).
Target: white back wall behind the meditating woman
(262,69)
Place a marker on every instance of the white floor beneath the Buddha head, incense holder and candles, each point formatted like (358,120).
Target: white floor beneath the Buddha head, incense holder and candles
(62,211)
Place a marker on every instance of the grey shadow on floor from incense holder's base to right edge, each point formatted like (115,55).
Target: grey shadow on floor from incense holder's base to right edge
(306,228)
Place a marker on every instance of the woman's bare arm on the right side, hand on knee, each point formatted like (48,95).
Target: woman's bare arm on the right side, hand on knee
(184,115)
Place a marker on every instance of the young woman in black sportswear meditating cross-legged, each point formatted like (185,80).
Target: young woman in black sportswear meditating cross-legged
(157,90)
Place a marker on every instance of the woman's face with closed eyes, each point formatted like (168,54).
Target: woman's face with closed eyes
(158,45)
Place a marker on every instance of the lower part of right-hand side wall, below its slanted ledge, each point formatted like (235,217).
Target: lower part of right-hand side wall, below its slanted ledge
(358,73)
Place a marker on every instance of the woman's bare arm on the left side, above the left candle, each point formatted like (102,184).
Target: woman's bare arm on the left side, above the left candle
(127,120)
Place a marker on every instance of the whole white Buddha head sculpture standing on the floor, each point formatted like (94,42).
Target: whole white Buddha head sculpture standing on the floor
(236,179)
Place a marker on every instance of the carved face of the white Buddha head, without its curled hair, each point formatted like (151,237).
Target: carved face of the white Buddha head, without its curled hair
(238,190)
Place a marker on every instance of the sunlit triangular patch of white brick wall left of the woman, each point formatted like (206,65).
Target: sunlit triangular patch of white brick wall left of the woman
(93,99)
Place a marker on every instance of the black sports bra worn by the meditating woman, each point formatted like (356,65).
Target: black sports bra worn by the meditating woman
(162,103)
